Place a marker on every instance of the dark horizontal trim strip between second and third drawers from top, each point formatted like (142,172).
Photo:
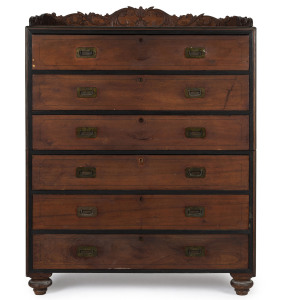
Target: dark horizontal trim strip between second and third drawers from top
(140,112)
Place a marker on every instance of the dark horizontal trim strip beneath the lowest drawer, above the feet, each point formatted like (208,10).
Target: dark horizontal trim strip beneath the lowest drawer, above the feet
(140,271)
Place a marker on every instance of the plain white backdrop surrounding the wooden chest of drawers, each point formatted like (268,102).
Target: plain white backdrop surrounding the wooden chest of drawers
(267,18)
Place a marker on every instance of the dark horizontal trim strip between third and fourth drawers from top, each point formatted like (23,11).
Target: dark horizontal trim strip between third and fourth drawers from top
(140,152)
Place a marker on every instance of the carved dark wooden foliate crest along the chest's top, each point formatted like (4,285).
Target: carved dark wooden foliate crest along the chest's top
(137,17)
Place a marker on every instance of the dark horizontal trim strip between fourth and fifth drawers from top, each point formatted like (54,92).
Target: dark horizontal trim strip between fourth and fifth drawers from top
(139,192)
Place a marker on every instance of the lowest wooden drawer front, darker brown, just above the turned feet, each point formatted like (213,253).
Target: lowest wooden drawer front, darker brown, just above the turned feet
(130,251)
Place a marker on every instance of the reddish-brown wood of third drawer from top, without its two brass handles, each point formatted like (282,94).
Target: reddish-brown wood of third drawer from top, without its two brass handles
(140,132)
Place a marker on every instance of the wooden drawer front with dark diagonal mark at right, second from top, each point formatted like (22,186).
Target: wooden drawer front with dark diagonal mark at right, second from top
(141,92)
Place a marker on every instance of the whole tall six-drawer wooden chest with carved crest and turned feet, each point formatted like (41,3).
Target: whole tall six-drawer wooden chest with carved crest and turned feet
(140,145)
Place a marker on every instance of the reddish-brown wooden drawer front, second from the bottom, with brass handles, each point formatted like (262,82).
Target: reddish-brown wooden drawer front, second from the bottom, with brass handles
(180,212)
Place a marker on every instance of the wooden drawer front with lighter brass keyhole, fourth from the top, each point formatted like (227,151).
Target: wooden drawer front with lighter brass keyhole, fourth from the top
(148,172)
